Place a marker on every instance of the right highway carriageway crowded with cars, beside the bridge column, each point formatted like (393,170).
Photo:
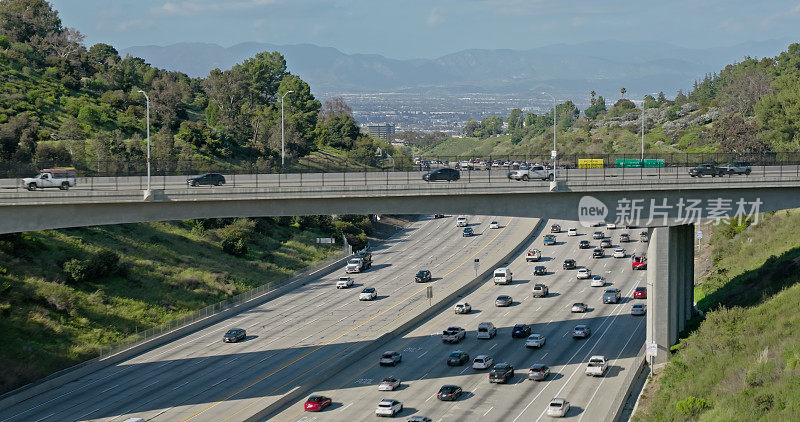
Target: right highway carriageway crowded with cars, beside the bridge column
(615,334)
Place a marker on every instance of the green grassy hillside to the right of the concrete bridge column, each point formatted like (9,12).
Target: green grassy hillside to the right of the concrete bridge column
(743,361)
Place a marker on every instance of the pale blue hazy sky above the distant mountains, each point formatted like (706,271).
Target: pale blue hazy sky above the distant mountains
(430,28)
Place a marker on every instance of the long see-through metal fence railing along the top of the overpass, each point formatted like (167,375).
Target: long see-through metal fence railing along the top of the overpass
(329,169)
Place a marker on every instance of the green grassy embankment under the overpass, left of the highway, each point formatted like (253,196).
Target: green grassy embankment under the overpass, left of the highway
(174,270)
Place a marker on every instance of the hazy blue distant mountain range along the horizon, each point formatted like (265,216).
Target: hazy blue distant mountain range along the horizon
(566,69)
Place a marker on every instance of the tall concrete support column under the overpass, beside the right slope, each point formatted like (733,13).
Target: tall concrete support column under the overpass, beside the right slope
(670,285)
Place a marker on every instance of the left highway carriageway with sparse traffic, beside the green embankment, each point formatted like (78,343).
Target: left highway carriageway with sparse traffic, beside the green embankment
(198,377)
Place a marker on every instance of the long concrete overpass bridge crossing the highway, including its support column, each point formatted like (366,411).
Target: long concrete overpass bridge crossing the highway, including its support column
(667,206)
